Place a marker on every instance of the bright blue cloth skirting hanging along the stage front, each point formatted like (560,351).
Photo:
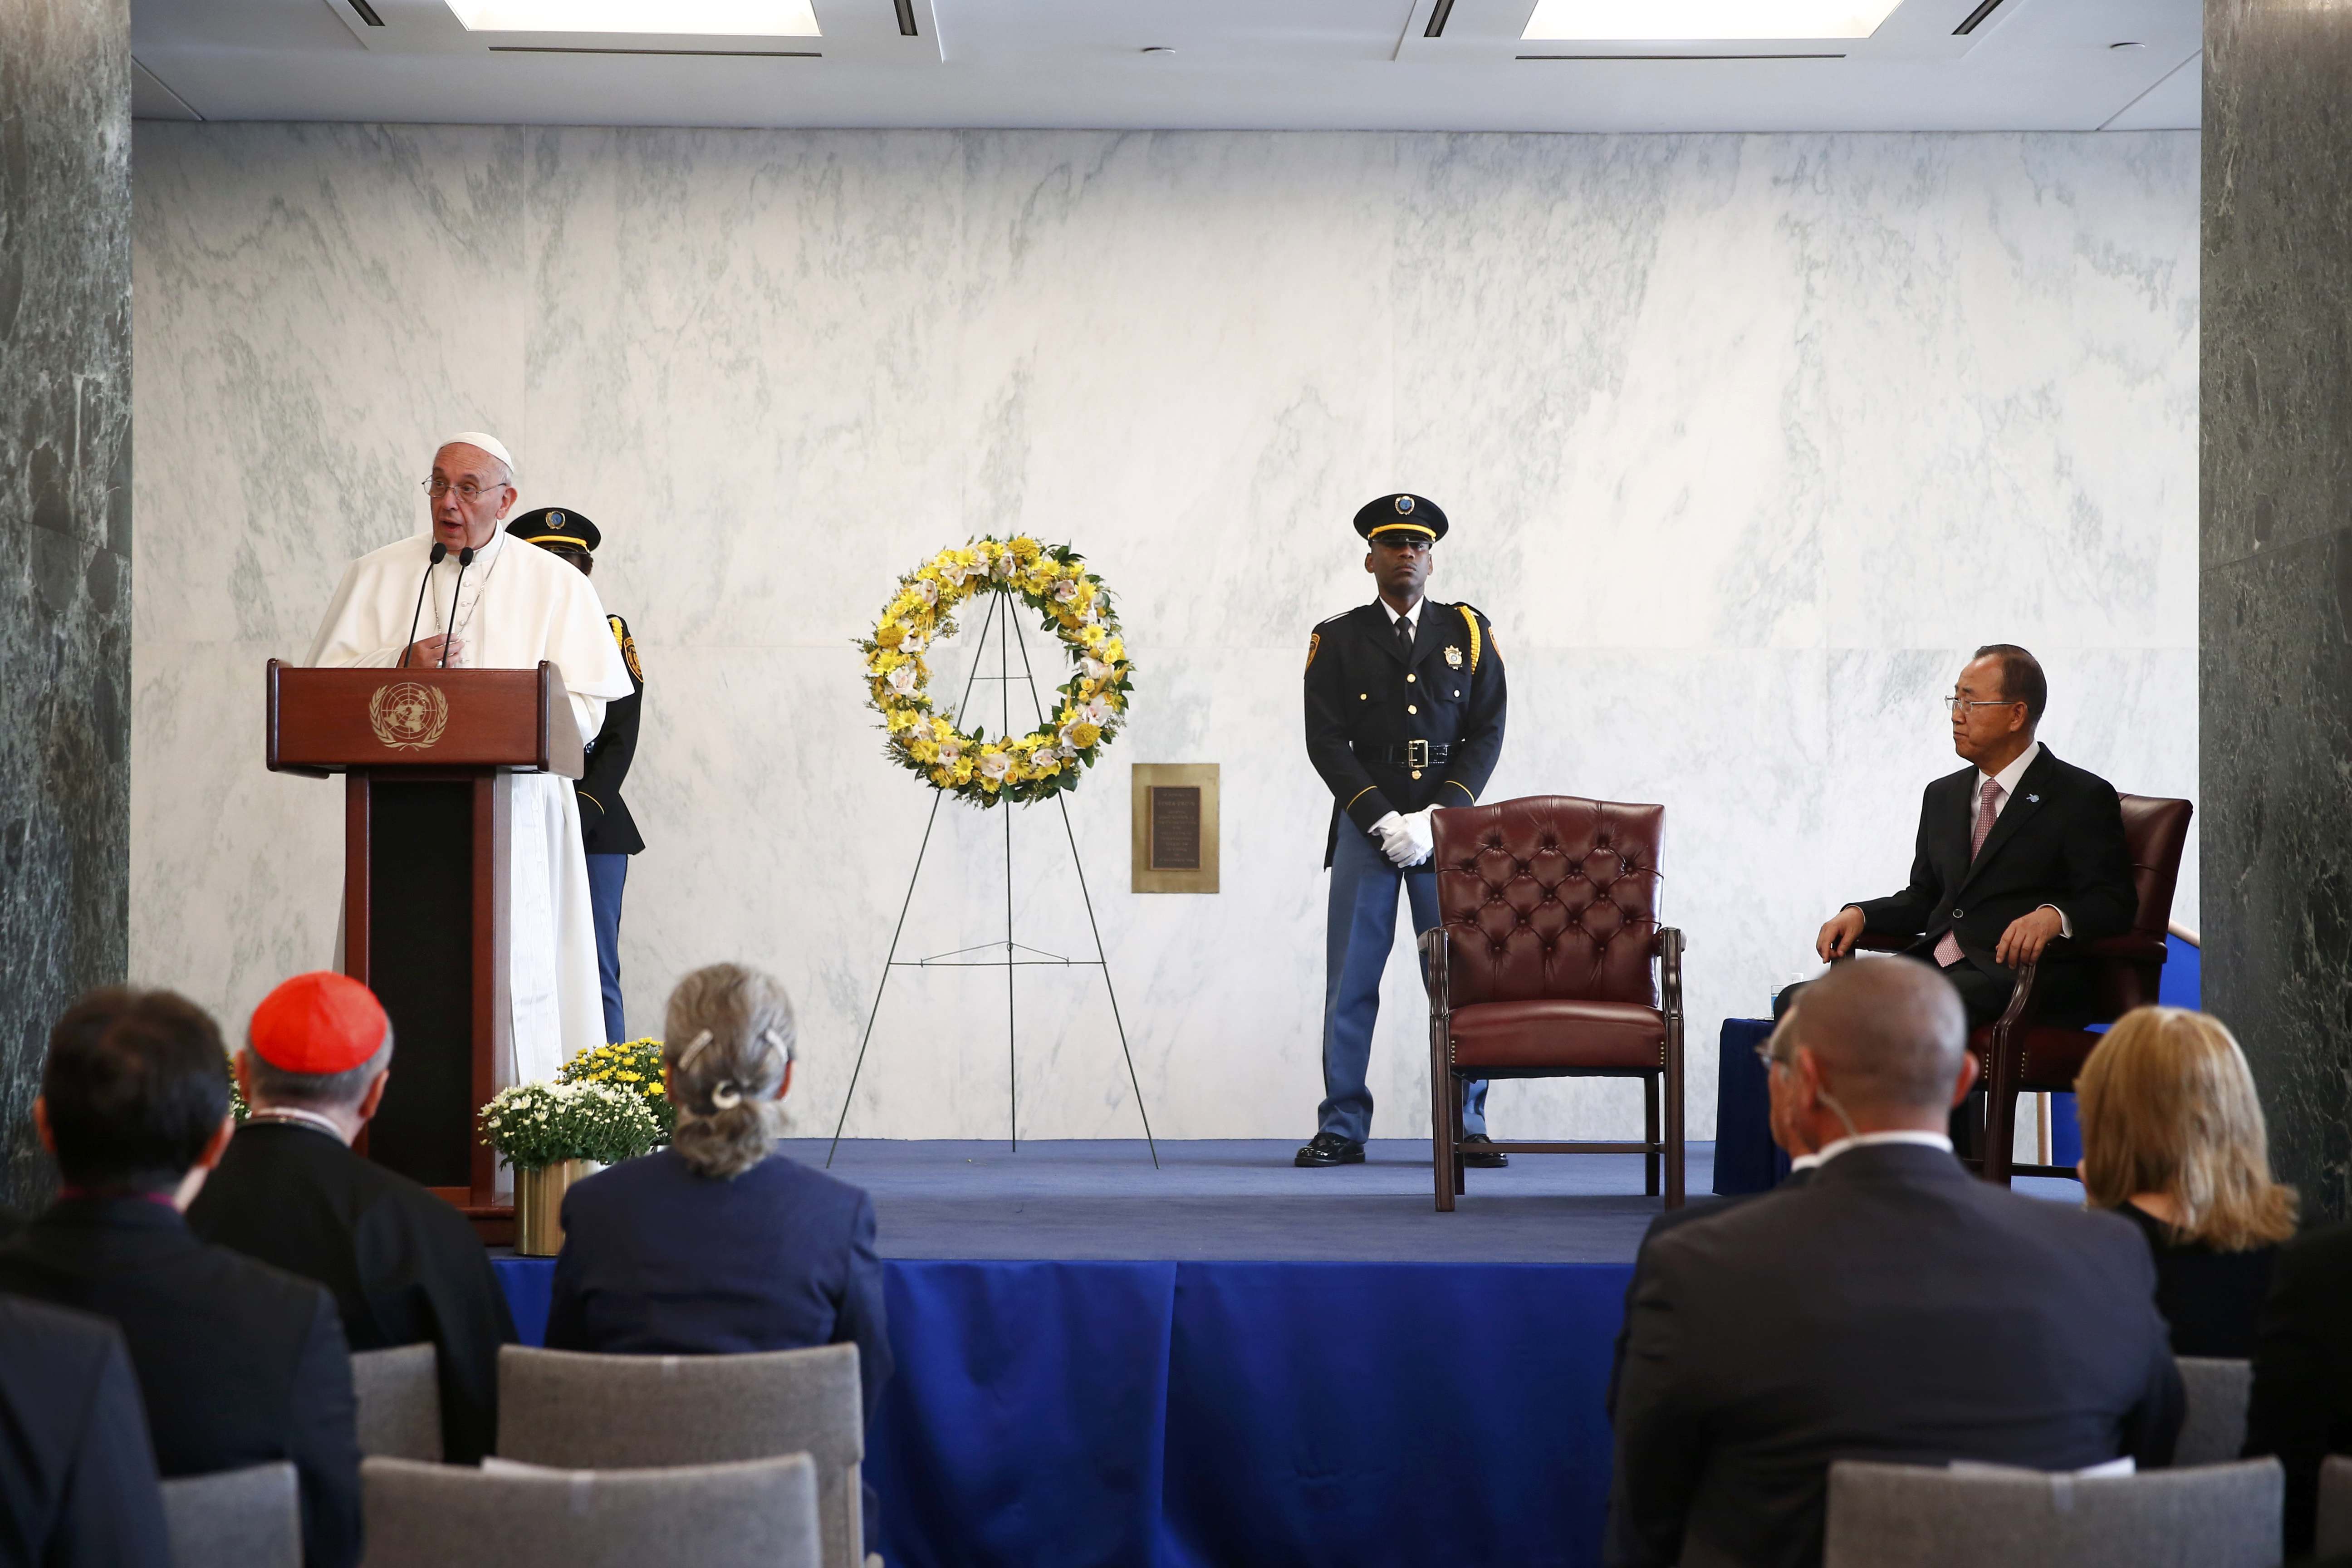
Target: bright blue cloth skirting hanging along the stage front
(1229,1414)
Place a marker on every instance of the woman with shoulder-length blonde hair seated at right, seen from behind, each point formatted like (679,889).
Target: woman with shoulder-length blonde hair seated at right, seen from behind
(2172,1139)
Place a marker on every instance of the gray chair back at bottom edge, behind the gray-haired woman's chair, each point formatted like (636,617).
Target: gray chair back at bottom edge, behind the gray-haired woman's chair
(756,1515)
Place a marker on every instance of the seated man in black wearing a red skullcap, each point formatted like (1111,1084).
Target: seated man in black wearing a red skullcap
(406,1268)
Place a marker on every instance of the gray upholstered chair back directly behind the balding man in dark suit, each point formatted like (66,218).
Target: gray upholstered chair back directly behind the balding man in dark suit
(1932,1517)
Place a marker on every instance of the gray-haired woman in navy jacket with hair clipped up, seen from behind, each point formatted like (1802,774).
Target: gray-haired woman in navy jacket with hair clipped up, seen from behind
(723,1245)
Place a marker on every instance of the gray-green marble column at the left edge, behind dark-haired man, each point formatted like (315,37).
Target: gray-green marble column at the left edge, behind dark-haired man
(67,528)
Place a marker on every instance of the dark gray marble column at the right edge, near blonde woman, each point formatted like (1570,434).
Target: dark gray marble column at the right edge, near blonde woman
(2276,669)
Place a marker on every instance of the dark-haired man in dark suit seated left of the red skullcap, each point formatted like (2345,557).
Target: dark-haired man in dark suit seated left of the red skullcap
(239,1365)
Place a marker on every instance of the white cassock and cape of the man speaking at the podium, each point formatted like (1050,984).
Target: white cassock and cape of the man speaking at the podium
(519,605)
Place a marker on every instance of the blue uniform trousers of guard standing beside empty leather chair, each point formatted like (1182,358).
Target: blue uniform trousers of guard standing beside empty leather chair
(1358,937)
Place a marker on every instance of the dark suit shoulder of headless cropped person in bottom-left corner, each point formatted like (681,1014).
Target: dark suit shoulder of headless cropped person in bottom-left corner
(76,1466)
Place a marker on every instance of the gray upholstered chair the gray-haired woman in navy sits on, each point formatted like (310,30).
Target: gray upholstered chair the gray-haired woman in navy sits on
(587,1412)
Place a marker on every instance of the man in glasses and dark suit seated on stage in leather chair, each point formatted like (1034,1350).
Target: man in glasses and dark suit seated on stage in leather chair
(2022,857)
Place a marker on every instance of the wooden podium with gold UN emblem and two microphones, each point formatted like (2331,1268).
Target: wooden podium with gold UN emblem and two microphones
(425,883)
